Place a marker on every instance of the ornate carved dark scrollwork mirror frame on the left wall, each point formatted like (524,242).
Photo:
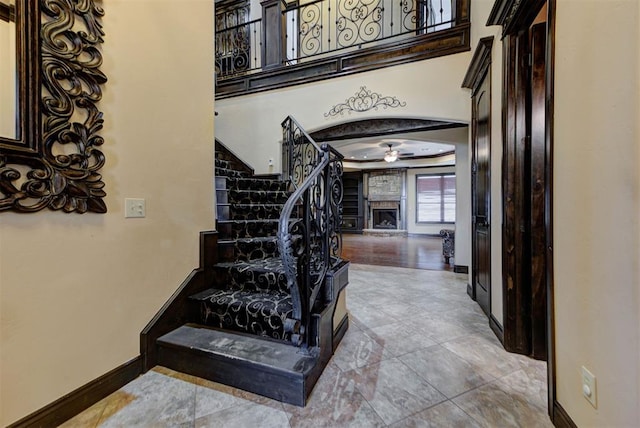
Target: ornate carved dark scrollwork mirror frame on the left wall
(56,159)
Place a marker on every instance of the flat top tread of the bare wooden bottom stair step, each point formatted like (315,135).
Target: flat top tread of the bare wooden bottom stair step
(241,348)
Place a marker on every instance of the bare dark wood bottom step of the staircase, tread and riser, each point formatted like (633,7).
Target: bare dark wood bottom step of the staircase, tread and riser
(272,369)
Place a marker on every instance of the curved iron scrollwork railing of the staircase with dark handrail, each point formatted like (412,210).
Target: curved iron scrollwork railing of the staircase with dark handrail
(309,237)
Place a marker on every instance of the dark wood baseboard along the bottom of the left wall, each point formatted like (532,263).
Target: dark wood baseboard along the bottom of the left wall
(82,398)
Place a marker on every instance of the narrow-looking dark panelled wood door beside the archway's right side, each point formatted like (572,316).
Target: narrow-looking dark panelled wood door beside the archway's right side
(481,194)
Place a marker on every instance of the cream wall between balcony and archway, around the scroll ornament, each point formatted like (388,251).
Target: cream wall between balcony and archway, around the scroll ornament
(250,124)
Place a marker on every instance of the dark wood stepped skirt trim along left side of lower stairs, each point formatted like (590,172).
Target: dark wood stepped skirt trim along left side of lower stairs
(176,311)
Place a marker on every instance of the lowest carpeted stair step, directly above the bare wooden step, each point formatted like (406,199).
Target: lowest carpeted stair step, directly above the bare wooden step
(257,313)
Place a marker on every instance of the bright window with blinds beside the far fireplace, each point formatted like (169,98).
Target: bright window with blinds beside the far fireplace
(436,198)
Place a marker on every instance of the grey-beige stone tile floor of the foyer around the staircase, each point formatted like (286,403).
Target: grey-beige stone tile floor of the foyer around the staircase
(418,353)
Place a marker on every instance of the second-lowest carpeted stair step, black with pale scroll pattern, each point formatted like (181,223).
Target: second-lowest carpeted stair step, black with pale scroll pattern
(256,275)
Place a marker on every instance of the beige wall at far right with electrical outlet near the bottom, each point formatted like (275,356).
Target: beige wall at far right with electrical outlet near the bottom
(596,209)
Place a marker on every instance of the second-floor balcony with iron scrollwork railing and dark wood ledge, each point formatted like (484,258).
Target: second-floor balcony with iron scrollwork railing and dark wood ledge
(304,41)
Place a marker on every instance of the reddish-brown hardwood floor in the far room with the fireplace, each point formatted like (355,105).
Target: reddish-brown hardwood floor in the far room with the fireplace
(416,251)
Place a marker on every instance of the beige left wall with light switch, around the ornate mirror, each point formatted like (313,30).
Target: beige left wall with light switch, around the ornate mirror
(76,290)
